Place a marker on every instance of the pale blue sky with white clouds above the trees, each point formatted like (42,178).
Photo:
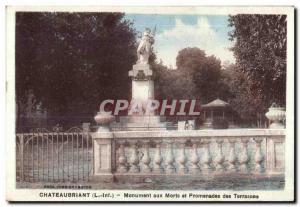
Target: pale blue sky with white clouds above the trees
(175,32)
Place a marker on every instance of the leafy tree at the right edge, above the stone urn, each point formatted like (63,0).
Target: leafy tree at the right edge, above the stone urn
(260,51)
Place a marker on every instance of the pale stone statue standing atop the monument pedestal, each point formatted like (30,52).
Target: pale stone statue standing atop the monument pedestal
(144,48)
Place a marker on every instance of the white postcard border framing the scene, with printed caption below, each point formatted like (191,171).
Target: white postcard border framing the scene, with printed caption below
(13,194)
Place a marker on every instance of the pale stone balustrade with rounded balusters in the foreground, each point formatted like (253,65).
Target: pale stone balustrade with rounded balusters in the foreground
(188,153)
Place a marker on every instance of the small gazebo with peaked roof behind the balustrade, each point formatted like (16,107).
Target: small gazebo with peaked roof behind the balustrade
(216,108)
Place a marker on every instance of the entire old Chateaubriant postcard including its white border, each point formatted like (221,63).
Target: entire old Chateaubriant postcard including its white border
(150,104)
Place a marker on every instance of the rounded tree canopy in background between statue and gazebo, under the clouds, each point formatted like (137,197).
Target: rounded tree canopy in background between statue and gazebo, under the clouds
(197,76)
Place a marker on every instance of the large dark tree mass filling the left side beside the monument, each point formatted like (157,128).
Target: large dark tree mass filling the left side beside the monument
(72,61)
